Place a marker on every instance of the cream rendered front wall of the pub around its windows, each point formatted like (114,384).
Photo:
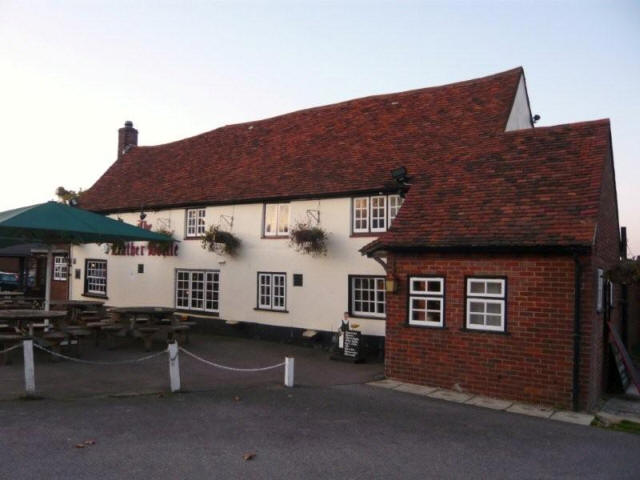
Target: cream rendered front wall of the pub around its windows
(319,304)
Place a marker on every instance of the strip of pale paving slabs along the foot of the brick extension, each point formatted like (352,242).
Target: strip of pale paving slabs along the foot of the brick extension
(576,418)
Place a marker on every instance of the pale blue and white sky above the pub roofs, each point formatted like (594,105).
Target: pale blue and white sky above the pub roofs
(72,72)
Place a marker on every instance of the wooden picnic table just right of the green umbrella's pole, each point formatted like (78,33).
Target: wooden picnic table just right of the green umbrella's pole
(147,323)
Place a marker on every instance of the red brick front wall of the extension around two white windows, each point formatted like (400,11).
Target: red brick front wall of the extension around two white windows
(532,362)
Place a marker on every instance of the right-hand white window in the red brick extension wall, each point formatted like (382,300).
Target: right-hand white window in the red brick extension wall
(486,304)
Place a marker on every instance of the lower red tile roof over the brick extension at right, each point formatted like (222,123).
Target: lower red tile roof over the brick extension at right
(534,187)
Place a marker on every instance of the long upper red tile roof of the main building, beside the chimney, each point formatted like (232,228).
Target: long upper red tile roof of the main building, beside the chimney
(330,150)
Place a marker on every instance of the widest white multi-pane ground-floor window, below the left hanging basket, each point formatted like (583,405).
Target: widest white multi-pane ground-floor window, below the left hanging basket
(198,290)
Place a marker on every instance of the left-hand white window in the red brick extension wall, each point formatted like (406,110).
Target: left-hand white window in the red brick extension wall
(426,301)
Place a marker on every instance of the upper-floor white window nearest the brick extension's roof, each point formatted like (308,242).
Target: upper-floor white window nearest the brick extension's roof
(375,214)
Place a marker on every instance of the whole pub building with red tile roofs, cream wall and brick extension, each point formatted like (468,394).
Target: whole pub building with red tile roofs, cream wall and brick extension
(465,242)
